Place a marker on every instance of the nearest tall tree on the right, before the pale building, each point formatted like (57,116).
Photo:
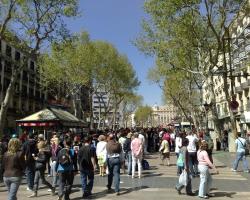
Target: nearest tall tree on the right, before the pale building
(197,27)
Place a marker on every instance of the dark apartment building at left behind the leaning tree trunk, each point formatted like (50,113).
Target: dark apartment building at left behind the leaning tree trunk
(28,96)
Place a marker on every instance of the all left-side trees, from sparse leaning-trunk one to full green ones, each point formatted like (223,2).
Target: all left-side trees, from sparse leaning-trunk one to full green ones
(73,62)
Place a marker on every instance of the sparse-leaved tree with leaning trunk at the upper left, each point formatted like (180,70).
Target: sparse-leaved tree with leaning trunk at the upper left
(34,22)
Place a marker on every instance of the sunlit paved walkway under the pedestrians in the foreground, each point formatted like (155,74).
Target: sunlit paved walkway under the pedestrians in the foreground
(158,182)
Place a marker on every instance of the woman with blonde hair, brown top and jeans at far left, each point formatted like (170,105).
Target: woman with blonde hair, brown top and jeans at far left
(13,166)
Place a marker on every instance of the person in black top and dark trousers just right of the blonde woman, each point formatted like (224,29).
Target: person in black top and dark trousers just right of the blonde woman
(30,148)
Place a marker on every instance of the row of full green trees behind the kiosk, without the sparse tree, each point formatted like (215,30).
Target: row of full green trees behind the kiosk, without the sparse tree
(77,62)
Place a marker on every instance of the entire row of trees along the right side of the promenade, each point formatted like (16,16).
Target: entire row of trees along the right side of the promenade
(190,40)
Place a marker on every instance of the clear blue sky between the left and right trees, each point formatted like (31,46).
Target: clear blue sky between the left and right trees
(118,22)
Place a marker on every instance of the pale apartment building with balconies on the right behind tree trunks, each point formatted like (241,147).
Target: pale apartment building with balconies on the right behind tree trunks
(239,64)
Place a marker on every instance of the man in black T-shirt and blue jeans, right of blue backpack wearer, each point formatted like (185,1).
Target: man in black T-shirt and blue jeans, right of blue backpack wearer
(87,165)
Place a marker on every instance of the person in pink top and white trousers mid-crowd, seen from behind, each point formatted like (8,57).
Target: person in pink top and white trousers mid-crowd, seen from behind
(137,154)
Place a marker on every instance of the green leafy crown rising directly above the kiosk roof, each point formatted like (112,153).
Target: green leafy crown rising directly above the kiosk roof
(69,63)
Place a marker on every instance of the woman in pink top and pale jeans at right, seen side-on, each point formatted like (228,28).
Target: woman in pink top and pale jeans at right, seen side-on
(203,166)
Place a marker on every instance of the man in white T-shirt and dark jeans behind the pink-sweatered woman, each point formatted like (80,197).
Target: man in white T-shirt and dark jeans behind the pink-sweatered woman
(192,153)
